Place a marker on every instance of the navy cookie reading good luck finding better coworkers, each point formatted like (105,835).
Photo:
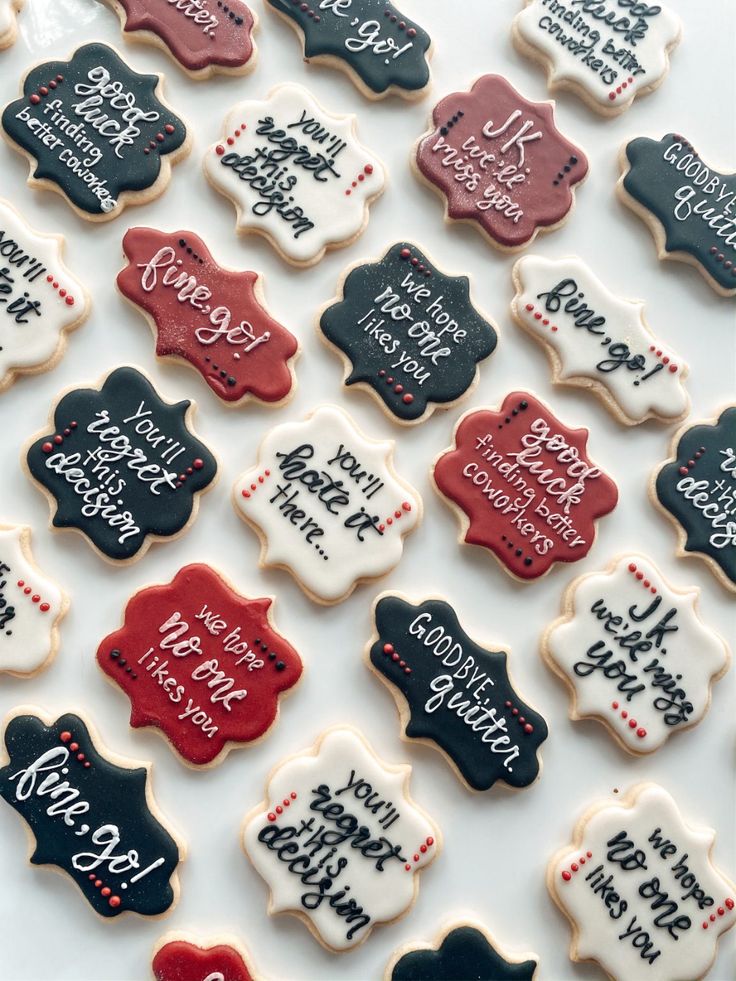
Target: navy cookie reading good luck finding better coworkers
(96,132)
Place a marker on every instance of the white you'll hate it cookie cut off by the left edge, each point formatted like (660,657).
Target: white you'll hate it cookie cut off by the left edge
(39,299)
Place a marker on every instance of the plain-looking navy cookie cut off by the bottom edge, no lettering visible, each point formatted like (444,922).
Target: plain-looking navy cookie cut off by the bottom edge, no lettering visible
(462,951)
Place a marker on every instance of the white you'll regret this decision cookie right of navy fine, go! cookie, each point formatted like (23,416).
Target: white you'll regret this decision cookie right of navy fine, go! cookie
(339,841)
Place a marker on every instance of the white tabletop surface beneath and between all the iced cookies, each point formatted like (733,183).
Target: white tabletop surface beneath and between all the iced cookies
(496,844)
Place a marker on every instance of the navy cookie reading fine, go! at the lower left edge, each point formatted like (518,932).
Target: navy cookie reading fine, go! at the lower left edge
(90,814)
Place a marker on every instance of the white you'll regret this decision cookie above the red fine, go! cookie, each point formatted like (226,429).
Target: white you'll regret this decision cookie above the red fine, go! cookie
(295,173)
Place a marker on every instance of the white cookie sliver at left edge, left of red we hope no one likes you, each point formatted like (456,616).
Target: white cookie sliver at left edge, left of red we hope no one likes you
(31,606)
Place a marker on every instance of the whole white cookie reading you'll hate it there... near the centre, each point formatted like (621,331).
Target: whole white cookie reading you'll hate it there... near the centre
(327,505)
